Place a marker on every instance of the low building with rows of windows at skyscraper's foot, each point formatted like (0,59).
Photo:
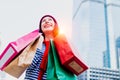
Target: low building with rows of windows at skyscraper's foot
(100,74)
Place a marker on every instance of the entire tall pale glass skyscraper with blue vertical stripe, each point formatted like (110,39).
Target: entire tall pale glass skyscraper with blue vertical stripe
(95,30)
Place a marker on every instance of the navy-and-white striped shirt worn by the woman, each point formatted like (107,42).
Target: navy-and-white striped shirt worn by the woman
(33,70)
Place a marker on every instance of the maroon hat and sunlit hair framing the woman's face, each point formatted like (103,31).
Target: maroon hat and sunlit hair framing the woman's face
(55,30)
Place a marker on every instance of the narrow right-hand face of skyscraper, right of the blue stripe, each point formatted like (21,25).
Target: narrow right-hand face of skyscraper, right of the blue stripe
(113,11)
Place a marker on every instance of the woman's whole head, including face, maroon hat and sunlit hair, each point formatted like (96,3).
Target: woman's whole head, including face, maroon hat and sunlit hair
(48,26)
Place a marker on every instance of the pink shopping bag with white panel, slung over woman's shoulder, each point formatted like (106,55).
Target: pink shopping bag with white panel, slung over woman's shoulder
(14,48)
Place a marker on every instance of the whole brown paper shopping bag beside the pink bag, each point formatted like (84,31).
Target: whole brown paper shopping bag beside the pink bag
(21,62)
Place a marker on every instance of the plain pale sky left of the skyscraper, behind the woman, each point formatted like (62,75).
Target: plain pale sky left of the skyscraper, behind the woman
(19,17)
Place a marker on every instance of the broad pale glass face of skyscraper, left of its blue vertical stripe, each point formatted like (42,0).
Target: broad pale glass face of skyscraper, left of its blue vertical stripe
(89,31)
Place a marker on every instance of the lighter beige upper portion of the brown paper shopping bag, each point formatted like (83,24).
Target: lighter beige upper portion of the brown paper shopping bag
(27,55)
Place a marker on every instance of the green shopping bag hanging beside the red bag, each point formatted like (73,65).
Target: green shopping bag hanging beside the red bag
(55,71)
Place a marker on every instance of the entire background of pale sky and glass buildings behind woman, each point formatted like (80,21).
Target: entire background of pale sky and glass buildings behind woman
(92,25)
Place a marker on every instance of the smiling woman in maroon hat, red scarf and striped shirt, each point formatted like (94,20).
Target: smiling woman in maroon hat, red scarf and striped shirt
(37,70)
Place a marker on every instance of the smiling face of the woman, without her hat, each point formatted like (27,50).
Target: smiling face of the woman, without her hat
(47,25)
